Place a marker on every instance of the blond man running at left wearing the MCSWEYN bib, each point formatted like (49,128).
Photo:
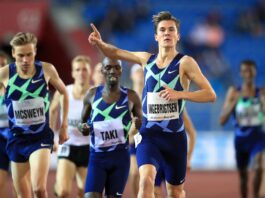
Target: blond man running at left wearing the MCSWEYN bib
(30,138)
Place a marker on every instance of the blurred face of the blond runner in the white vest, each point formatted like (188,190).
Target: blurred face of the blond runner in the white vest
(81,72)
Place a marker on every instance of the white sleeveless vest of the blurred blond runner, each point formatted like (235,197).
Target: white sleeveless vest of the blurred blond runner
(74,117)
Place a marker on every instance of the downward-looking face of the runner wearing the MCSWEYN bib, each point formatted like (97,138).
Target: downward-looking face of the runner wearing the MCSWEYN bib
(24,56)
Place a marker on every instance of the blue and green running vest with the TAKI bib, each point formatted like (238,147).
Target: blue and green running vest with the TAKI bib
(110,123)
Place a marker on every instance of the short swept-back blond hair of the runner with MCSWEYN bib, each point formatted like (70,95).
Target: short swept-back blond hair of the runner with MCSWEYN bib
(23,38)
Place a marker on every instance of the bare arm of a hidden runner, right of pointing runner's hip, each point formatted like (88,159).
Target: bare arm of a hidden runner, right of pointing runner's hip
(192,136)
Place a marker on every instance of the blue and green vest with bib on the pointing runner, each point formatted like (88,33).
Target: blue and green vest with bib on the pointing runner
(159,114)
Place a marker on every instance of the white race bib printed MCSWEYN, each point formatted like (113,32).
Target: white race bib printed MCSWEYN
(29,112)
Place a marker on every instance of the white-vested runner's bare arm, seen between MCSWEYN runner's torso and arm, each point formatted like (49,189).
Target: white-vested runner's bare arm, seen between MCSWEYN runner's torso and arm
(55,111)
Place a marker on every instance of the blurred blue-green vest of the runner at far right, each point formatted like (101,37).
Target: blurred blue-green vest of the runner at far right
(248,114)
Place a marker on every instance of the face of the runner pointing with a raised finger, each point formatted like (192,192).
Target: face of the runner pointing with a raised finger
(167,34)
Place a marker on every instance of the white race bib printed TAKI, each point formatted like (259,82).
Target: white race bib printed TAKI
(109,133)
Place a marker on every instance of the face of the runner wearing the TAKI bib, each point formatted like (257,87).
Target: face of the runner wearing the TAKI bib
(112,72)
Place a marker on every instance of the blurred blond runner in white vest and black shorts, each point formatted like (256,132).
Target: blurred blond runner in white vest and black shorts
(73,154)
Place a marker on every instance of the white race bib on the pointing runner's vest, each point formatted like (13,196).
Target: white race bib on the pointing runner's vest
(159,108)
